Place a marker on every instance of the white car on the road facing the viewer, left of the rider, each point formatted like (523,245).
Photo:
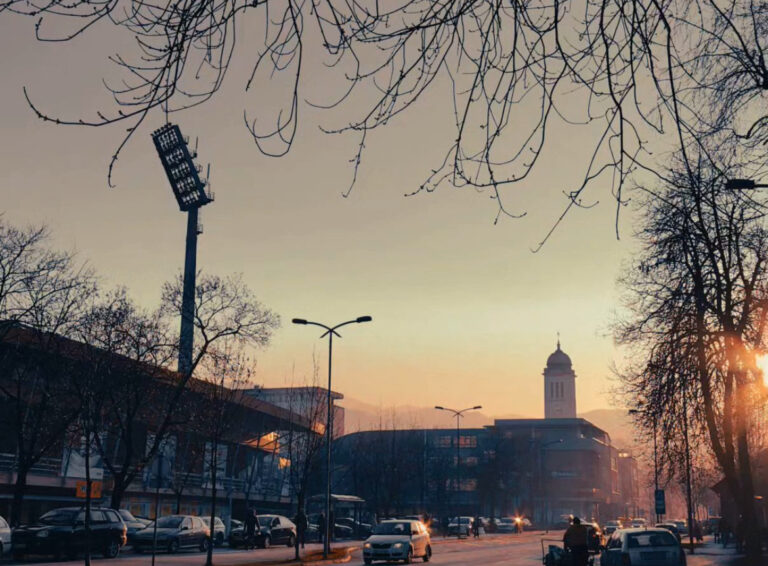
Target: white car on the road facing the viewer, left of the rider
(398,540)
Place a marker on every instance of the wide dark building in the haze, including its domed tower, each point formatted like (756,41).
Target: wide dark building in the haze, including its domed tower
(545,469)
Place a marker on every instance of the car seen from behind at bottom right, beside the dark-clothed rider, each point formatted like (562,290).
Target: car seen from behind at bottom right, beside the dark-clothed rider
(642,547)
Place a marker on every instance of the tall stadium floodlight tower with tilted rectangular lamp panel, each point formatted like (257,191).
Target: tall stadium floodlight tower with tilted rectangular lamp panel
(190,193)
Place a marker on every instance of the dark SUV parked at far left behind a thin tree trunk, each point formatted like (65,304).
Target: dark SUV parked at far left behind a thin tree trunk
(61,532)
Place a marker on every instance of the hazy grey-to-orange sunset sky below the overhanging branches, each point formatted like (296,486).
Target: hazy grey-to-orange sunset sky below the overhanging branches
(463,312)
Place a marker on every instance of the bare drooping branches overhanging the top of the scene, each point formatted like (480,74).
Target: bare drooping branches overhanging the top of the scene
(630,77)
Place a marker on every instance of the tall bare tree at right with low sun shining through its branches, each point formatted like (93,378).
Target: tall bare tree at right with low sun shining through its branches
(697,298)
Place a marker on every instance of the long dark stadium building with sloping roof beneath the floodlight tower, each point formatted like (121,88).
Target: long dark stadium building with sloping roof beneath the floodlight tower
(39,377)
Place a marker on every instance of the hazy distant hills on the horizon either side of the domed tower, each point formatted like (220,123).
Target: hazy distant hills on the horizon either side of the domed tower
(361,416)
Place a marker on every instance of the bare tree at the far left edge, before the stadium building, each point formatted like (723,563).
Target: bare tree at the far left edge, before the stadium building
(41,294)
